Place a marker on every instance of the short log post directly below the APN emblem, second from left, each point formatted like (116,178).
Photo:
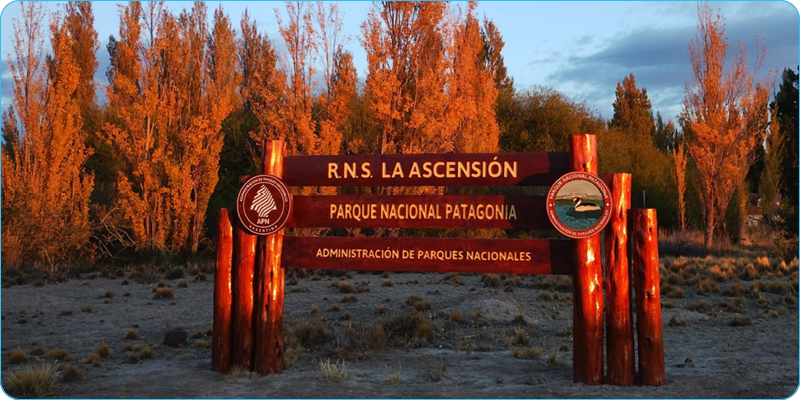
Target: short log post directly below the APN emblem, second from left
(244,248)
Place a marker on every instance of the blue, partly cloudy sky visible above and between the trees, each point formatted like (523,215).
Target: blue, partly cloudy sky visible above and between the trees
(580,48)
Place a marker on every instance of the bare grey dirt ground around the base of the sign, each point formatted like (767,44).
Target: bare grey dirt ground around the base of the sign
(467,357)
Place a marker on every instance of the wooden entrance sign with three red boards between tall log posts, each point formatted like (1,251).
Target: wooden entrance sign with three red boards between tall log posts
(274,252)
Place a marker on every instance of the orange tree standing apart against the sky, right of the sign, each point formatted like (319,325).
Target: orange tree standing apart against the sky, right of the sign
(724,115)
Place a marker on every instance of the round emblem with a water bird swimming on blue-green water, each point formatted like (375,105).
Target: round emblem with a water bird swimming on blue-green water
(579,204)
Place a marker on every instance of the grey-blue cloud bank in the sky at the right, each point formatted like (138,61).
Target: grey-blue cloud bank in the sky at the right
(658,57)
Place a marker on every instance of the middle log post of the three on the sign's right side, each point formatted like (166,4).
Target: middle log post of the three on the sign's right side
(619,330)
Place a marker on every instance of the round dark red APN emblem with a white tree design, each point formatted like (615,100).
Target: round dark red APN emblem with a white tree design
(264,205)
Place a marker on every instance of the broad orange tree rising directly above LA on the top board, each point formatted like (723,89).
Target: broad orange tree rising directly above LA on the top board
(407,71)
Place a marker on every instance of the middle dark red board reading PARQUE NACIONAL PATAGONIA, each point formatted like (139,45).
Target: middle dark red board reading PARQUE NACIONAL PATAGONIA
(421,211)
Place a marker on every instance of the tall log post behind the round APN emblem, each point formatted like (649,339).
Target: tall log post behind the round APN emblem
(270,281)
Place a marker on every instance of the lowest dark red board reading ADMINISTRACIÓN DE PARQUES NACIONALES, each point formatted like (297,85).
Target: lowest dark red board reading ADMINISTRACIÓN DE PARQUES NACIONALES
(507,256)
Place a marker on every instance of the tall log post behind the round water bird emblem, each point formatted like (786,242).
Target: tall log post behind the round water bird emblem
(587,292)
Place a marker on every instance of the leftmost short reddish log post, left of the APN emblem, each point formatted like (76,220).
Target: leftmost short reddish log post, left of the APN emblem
(223,301)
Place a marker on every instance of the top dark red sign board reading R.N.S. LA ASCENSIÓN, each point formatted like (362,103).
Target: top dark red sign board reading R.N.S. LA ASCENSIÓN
(497,169)
